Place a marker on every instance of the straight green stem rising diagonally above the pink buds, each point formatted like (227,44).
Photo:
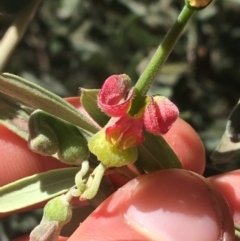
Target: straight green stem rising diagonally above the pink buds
(164,49)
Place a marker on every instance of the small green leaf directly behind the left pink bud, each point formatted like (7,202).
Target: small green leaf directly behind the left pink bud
(89,102)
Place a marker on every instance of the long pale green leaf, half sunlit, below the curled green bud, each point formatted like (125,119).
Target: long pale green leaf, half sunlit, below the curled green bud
(37,188)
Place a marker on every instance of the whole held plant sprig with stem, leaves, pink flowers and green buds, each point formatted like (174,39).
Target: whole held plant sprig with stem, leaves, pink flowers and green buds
(118,126)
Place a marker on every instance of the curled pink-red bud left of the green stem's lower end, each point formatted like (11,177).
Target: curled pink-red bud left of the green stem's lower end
(115,95)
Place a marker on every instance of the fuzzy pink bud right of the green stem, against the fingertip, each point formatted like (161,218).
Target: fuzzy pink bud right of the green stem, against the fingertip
(159,115)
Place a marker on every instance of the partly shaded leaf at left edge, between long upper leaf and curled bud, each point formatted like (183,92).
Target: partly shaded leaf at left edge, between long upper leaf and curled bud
(14,115)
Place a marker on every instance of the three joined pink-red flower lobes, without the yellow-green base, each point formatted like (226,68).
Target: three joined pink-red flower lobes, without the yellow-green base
(125,131)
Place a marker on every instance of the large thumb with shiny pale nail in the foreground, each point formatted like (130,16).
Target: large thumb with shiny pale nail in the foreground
(159,206)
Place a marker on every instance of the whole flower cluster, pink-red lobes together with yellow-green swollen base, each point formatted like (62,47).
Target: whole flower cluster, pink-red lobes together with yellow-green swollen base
(124,131)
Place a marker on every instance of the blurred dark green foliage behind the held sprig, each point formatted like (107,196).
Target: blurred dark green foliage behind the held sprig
(79,43)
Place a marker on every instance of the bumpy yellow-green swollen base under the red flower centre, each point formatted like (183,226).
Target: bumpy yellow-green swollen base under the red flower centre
(111,155)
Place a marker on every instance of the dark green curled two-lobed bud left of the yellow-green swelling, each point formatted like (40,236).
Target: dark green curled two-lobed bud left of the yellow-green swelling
(49,135)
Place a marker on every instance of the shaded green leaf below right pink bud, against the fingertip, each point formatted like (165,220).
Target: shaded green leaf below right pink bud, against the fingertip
(155,154)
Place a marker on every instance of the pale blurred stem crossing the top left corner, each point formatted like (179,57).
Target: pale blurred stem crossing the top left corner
(16,31)
